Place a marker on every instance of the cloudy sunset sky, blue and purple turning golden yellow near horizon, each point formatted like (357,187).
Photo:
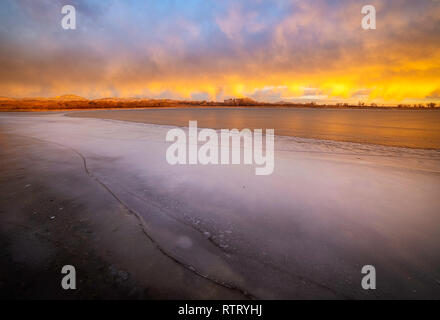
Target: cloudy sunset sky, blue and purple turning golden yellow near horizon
(270,51)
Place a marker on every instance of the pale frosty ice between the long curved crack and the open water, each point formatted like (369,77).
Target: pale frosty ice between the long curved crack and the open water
(305,231)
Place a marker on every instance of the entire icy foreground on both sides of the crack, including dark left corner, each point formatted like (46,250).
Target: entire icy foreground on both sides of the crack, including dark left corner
(137,227)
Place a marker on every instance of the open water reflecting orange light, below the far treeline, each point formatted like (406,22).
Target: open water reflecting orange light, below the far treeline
(401,128)
